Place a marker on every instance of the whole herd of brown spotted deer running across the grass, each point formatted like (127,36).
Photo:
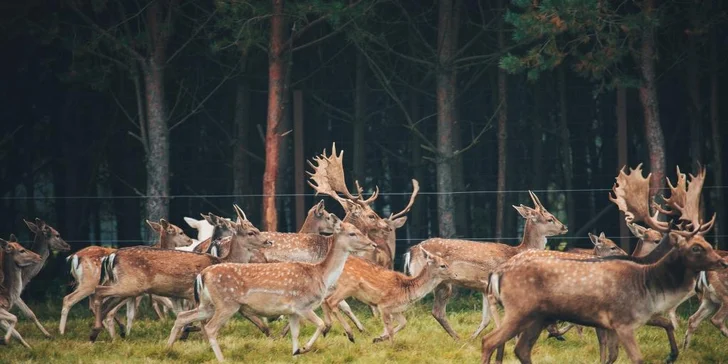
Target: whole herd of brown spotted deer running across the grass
(233,267)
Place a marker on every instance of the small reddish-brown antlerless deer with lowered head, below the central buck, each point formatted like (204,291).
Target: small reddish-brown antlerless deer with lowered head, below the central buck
(390,292)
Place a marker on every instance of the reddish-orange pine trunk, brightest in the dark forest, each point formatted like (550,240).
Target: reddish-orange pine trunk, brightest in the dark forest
(277,89)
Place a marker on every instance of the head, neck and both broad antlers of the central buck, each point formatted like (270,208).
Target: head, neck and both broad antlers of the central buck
(328,179)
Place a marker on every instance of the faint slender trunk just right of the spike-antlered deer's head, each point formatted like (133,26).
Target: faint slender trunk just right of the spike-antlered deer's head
(567,159)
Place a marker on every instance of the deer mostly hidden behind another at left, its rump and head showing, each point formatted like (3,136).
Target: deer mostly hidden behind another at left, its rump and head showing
(86,270)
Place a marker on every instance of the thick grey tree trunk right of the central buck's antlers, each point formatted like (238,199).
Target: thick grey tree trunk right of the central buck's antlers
(445,118)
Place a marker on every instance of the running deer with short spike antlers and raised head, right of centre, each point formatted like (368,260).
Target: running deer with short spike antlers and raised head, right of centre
(474,261)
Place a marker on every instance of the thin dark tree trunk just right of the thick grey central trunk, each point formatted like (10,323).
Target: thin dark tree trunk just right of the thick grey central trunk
(502,131)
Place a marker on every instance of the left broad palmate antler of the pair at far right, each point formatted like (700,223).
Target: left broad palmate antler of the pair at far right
(632,196)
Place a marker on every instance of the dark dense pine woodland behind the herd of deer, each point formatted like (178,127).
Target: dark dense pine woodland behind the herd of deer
(117,111)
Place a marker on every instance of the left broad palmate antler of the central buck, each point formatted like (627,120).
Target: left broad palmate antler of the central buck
(328,178)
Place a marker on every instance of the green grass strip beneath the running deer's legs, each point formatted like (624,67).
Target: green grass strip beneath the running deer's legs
(422,341)
